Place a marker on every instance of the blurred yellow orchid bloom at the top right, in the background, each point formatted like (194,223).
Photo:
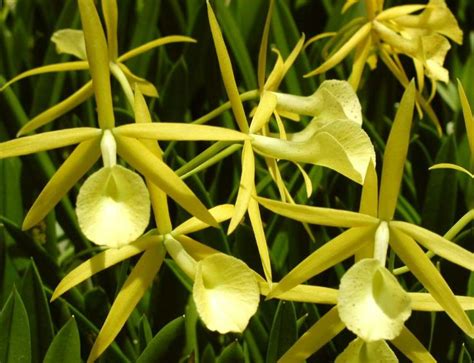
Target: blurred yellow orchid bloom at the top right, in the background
(394,31)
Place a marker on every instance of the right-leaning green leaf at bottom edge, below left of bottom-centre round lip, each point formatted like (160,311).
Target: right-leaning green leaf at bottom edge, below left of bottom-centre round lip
(164,343)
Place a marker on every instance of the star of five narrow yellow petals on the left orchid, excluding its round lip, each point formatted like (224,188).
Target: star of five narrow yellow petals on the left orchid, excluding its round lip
(126,138)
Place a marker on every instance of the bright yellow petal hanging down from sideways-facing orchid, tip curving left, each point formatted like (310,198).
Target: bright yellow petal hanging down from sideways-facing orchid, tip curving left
(247,181)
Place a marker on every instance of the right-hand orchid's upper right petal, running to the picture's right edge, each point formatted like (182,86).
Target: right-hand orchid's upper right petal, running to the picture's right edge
(439,245)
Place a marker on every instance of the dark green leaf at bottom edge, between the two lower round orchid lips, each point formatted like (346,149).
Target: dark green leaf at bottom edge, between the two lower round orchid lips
(284,331)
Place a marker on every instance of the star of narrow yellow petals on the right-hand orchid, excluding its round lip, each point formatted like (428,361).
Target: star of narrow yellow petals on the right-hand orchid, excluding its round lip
(373,230)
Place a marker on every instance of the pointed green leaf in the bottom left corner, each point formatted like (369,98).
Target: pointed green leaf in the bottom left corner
(15,344)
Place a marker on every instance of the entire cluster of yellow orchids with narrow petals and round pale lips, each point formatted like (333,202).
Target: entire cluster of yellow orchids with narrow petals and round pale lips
(123,204)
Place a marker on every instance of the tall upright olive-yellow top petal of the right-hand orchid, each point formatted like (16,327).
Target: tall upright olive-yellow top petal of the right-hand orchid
(395,155)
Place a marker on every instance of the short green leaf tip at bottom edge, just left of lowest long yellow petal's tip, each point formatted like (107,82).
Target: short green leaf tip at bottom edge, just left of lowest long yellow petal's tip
(66,346)
